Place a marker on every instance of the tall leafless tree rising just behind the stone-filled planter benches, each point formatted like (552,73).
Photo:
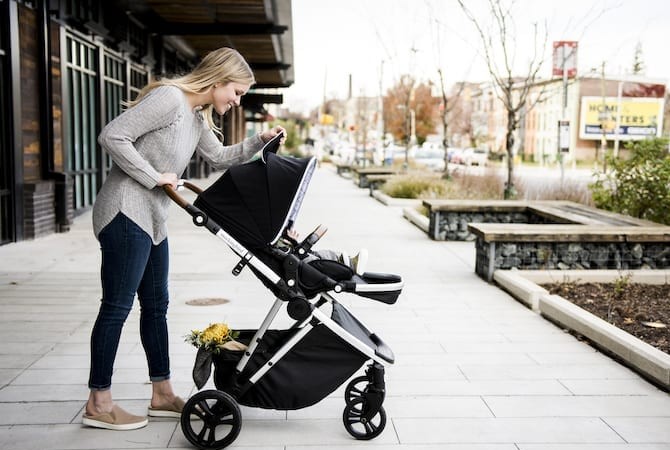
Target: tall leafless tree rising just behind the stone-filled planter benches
(499,53)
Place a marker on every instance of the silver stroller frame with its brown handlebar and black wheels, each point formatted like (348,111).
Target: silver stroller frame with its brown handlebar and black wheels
(364,416)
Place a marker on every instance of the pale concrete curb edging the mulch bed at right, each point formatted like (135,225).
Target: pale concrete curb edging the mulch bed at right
(631,351)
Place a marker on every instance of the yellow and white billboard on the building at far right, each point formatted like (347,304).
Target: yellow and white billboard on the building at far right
(637,118)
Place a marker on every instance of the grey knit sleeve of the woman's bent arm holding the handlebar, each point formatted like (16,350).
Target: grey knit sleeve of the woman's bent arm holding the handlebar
(159,109)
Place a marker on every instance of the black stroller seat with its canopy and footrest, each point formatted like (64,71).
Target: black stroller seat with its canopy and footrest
(257,202)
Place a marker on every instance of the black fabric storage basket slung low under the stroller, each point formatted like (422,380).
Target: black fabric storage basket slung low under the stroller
(312,369)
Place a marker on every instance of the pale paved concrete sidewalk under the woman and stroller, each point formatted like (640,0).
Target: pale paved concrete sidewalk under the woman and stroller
(475,369)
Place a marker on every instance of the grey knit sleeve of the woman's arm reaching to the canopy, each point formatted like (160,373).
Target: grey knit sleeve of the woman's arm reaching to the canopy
(223,156)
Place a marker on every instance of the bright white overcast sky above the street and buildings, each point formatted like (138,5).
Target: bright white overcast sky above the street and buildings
(377,41)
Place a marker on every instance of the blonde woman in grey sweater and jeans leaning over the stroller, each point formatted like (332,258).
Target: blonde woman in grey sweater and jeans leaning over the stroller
(150,143)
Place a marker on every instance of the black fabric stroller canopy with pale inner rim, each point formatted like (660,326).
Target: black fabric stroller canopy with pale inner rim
(255,201)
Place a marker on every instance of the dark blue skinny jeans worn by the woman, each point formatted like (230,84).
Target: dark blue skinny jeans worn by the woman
(130,264)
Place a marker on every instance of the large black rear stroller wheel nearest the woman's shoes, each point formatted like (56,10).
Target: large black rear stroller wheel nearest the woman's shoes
(211,420)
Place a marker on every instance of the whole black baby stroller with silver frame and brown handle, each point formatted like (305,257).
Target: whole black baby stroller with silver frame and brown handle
(249,207)
